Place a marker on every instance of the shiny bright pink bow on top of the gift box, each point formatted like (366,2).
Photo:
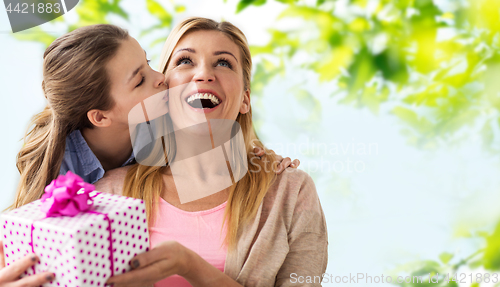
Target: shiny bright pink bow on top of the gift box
(67,196)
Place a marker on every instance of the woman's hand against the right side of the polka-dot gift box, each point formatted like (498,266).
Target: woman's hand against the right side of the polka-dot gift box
(166,259)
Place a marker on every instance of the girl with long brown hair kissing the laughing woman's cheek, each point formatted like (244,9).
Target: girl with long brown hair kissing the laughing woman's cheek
(84,127)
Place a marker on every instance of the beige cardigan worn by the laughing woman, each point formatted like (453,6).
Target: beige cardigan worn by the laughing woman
(287,236)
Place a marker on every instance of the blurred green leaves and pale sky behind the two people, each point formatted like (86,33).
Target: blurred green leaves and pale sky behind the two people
(392,107)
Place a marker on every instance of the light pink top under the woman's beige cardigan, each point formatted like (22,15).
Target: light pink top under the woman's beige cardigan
(199,231)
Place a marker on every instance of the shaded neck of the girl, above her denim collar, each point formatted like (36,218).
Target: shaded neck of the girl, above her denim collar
(111,147)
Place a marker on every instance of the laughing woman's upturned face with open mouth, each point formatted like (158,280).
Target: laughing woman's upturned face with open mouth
(205,79)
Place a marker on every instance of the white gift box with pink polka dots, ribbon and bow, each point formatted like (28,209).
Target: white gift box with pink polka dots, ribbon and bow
(81,235)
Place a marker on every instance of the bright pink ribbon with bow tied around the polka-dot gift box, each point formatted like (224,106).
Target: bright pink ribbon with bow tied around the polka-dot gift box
(68,195)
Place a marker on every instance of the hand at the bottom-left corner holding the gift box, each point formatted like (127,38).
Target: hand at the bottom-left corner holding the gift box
(9,276)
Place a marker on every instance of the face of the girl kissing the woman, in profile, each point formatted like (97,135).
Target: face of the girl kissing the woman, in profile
(132,81)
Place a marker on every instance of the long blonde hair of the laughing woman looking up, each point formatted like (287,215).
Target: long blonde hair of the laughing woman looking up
(245,196)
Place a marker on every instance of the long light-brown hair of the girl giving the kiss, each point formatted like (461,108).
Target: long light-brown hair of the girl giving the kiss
(75,81)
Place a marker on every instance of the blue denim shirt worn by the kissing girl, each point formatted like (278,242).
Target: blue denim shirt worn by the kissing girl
(79,158)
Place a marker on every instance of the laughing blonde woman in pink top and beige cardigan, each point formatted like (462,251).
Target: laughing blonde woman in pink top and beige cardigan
(273,226)
